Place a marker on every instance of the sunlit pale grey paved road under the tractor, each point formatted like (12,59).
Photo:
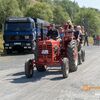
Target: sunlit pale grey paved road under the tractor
(49,85)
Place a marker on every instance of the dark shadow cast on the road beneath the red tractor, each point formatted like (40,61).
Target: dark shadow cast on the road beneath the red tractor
(21,78)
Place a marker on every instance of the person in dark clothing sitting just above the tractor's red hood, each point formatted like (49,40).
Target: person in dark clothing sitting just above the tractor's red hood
(53,33)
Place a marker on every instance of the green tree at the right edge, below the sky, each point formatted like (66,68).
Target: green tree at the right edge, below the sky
(89,19)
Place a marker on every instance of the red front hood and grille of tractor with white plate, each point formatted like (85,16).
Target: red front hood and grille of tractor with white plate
(48,52)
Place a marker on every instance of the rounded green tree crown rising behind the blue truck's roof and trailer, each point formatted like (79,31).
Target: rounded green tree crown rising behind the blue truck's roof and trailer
(40,10)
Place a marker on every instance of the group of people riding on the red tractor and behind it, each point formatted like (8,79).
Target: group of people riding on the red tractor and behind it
(79,32)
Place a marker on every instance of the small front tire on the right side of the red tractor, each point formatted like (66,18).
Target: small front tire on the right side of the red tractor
(65,68)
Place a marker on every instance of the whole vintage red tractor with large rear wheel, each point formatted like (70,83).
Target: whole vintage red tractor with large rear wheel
(50,52)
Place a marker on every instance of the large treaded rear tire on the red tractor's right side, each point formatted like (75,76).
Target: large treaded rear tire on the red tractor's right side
(72,53)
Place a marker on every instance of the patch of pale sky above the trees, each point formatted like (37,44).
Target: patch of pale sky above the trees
(88,3)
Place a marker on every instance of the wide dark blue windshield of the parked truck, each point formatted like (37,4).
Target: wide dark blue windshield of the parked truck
(18,26)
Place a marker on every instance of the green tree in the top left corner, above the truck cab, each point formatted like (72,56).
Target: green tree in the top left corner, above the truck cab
(8,8)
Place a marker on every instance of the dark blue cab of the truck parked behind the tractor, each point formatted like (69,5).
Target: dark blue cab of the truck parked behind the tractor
(19,34)
